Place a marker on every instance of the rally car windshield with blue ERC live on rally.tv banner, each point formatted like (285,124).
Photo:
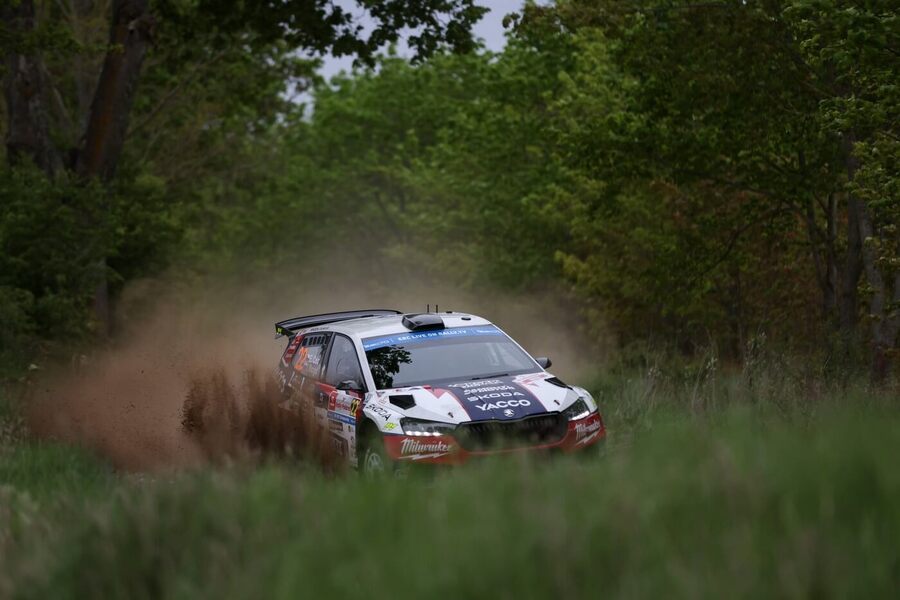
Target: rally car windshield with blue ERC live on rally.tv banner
(455,354)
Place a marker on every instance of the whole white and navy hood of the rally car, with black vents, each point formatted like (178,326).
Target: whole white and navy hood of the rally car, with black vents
(504,398)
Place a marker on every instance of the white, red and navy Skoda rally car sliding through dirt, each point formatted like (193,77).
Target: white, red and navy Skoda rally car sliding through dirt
(391,388)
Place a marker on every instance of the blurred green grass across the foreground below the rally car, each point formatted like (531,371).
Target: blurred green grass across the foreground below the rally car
(712,491)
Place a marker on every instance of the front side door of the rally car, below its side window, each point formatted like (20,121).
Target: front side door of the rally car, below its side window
(345,386)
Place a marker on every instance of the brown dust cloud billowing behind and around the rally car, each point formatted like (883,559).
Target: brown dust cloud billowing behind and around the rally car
(189,377)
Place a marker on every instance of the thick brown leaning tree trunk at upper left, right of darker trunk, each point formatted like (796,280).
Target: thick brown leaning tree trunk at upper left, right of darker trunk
(130,36)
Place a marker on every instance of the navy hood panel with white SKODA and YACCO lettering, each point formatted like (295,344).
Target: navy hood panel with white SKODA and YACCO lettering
(498,398)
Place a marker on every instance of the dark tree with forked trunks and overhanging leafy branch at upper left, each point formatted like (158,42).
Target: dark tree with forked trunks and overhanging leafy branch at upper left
(316,25)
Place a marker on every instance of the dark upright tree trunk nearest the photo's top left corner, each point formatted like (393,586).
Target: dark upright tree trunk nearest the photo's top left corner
(26,91)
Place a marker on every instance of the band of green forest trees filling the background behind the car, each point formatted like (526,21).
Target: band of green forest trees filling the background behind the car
(690,174)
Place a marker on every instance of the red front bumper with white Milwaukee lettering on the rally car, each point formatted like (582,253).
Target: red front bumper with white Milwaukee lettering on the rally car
(446,449)
